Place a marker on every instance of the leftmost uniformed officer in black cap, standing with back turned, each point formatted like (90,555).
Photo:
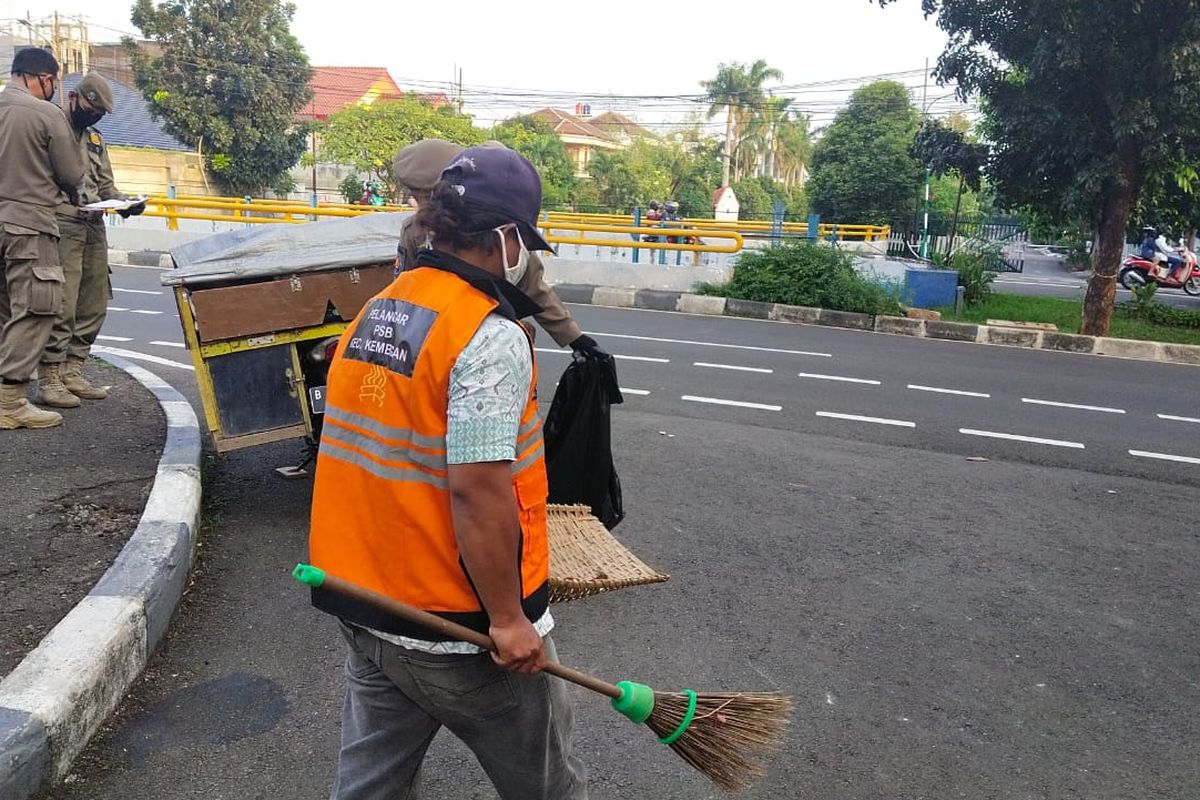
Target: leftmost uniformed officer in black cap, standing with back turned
(40,161)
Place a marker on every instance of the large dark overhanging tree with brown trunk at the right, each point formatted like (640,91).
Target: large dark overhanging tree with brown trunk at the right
(1084,103)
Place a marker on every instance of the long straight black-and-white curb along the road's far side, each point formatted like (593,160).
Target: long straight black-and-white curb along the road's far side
(1036,340)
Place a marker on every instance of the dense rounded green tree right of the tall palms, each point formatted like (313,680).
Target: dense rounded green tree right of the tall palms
(863,171)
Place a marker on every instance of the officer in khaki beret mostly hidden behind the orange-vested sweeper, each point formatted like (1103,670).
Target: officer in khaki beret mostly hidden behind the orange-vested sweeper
(418,167)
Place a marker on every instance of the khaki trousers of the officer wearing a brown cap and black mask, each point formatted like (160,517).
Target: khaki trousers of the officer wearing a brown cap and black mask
(83,252)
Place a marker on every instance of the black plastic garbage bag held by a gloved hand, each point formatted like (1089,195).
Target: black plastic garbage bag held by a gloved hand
(579,438)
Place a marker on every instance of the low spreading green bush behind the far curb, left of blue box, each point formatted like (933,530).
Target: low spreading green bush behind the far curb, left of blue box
(806,274)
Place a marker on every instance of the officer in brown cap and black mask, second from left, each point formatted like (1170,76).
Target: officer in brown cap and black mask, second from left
(83,251)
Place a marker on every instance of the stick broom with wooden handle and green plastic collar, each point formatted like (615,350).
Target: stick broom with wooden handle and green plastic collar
(724,736)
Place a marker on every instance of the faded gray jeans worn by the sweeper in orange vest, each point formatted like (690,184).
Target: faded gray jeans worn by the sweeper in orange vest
(397,700)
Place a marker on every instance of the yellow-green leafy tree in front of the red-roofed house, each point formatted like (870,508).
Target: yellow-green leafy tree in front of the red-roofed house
(368,137)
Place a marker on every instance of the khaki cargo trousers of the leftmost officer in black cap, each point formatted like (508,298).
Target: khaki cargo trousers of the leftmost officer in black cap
(31,299)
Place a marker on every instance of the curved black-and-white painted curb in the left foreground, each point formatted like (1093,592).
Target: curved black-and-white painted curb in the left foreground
(62,693)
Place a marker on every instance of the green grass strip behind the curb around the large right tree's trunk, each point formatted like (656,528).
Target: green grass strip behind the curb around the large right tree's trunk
(1067,315)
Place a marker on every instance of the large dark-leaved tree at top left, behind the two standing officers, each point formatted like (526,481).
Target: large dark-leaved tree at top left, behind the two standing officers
(230,81)
